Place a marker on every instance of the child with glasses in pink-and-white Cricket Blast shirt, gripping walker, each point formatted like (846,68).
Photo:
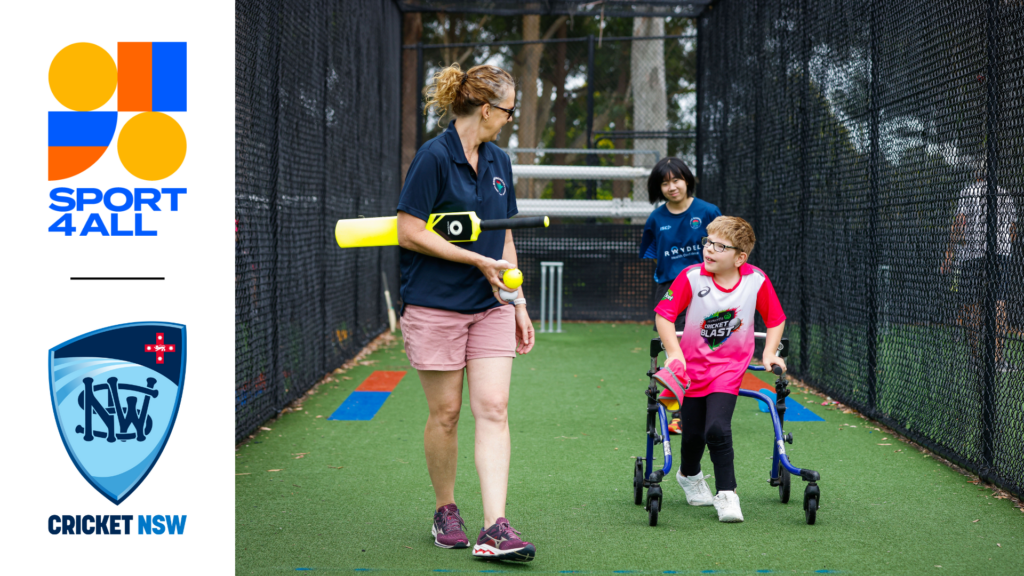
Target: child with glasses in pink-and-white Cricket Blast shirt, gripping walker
(707,364)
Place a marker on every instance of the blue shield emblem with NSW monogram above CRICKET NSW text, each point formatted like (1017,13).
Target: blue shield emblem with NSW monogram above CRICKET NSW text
(116,394)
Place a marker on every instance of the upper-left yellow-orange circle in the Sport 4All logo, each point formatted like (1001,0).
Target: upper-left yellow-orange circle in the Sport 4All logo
(83,77)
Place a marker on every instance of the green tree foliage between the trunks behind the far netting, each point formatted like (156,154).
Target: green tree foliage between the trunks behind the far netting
(613,102)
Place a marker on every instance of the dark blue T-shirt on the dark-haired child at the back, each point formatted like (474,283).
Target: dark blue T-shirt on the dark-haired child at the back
(674,240)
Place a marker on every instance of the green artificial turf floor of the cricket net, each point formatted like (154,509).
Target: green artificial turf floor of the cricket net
(356,496)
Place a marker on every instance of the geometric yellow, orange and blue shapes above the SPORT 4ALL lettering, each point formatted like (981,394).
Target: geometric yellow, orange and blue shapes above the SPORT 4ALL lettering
(150,78)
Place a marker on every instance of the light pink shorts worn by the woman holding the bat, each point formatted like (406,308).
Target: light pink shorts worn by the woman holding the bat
(441,340)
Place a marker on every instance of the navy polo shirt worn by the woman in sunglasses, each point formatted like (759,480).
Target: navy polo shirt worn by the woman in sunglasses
(441,180)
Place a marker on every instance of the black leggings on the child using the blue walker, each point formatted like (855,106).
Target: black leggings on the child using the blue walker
(708,421)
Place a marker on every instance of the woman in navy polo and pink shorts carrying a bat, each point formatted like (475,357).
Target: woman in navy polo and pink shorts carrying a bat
(453,319)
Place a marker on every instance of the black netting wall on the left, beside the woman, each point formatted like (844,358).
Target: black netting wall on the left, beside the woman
(317,140)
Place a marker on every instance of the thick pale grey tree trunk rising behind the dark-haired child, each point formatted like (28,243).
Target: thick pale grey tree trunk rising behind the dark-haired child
(650,102)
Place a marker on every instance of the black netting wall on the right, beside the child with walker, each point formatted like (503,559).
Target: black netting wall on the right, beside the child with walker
(876,147)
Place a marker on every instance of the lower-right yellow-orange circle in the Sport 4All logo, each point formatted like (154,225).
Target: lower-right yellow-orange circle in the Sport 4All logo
(152,146)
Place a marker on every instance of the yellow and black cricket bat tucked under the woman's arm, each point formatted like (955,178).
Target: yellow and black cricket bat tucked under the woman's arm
(454,227)
